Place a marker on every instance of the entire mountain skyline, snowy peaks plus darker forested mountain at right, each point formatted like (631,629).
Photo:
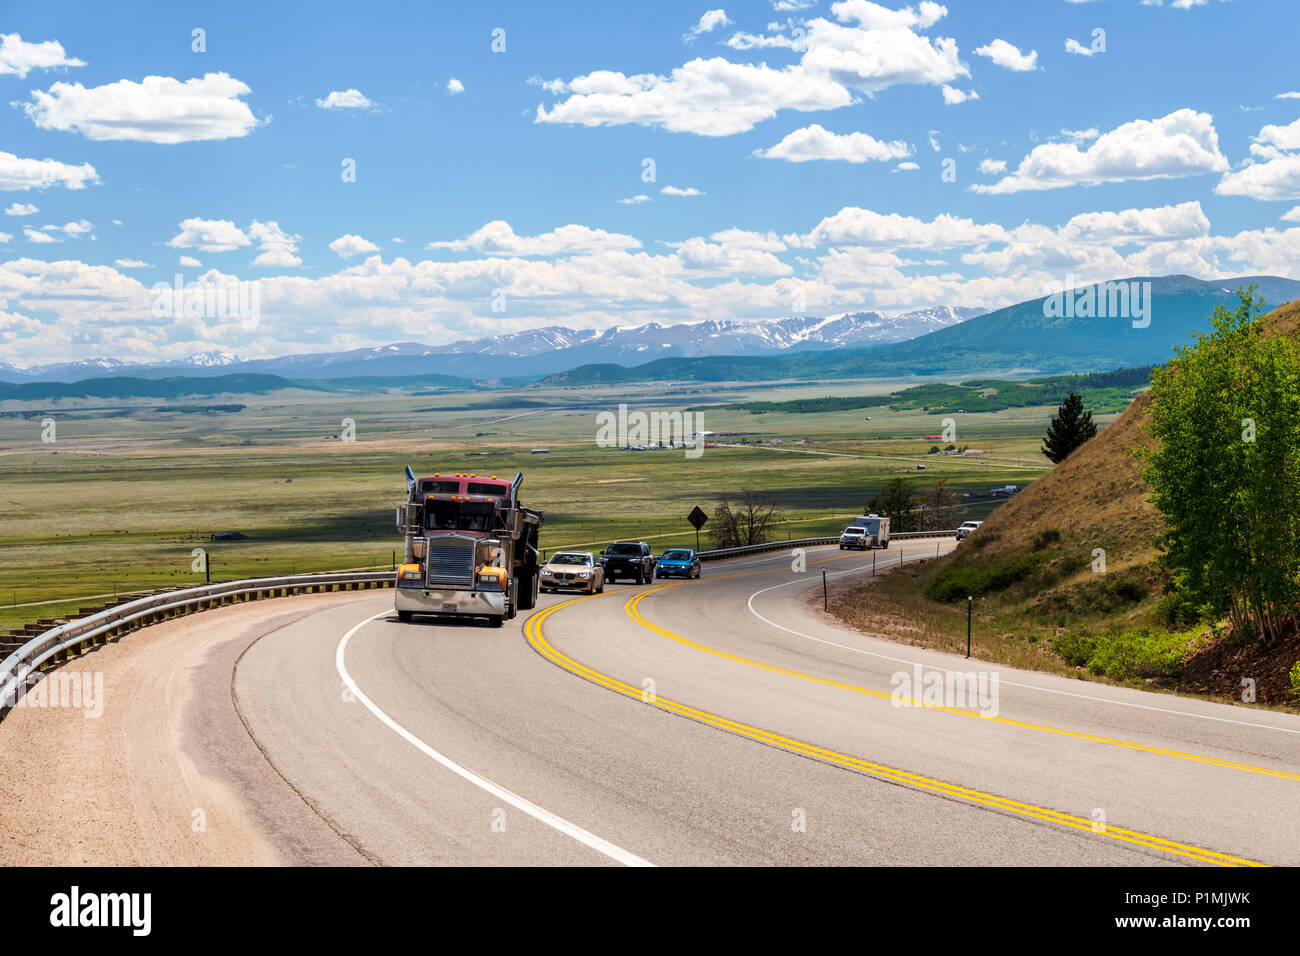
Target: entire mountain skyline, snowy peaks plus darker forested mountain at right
(1038,336)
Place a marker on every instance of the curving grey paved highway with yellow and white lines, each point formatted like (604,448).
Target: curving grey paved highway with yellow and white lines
(725,721)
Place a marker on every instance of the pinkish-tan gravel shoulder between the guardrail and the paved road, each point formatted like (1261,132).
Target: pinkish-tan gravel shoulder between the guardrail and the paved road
(167,773)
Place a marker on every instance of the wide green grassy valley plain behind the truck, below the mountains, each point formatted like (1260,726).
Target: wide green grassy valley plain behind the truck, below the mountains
(125,494)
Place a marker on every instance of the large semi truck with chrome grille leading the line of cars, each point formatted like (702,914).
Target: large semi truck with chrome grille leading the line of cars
(471,548)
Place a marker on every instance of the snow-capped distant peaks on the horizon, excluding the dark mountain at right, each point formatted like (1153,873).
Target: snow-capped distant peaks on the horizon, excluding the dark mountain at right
(538,352)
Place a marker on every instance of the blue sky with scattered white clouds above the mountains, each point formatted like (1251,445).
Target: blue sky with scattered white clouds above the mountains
(809,145)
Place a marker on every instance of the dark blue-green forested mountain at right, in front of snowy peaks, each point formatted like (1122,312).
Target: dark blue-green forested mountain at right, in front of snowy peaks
(1041,336)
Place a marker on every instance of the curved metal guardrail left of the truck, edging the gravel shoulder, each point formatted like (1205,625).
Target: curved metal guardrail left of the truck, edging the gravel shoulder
(20,665)
